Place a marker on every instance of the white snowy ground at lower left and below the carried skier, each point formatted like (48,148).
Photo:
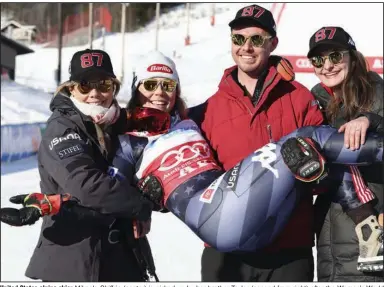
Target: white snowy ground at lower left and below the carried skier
(176,249)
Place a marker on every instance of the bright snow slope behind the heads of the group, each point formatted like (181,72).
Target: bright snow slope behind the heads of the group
(200,64)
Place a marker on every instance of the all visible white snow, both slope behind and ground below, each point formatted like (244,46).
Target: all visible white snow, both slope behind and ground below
(176,250)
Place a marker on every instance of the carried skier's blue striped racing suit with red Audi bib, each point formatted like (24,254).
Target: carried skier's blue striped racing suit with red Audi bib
(244,208)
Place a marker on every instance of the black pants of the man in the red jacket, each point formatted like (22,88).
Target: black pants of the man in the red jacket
(294,265)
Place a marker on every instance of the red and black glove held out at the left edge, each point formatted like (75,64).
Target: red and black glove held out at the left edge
(35,205)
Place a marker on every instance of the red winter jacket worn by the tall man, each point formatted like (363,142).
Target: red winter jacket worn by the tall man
(235,128)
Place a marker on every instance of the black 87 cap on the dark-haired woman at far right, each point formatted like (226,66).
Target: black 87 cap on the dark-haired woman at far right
(329,38)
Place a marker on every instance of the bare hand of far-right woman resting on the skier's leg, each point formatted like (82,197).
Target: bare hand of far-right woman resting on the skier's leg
(355,132)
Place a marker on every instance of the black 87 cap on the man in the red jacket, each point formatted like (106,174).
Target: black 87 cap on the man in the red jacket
(256,16)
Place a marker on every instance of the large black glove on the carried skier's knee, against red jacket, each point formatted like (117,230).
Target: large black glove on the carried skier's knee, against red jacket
(303,159)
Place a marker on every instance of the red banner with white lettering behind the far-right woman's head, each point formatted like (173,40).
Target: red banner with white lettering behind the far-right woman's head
(302,64)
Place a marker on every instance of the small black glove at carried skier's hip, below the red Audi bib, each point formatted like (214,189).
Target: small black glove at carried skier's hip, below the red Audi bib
(152,189)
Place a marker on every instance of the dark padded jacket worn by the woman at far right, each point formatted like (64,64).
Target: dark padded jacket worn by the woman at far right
(337,243)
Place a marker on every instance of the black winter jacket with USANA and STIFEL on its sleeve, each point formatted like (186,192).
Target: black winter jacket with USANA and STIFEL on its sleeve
(71,160)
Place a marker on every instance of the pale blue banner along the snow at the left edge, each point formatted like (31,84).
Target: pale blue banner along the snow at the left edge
(20,141)
